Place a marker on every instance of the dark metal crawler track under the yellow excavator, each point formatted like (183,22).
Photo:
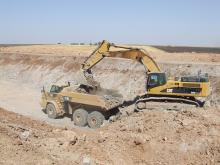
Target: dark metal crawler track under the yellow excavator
(140,104)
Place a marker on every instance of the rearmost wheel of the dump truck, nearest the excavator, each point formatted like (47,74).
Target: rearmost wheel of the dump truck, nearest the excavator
(95,119)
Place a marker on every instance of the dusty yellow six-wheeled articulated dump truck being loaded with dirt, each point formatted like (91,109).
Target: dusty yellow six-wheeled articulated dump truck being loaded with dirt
(82,103)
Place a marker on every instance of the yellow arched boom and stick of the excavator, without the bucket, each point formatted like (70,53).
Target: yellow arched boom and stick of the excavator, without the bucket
(128,53)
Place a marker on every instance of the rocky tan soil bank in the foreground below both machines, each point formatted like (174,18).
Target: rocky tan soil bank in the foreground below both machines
(151,137)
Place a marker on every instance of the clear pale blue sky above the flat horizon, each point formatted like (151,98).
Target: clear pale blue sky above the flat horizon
(153,22)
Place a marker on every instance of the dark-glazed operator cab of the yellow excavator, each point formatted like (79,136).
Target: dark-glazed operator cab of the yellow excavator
(156,79)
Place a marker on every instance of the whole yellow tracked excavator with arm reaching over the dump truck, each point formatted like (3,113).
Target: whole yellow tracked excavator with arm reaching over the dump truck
(159,87)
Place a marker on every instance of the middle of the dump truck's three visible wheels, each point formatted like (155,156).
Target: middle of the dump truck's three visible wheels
(80,117)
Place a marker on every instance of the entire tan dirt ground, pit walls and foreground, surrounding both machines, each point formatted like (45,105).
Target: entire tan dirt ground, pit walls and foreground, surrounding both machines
(186,135)
